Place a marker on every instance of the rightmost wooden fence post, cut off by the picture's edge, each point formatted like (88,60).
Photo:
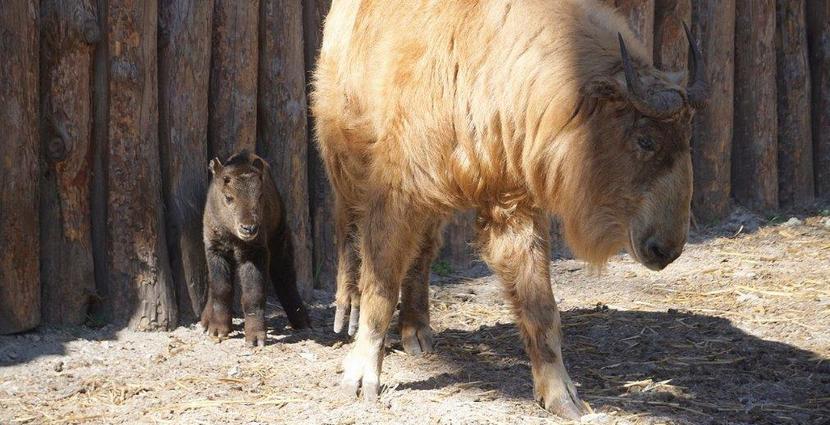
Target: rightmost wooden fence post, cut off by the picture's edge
(818,30)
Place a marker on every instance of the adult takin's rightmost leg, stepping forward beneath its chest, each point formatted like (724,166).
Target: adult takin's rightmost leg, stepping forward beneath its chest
(516,249)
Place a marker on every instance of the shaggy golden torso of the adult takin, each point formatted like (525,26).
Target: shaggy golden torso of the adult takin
(446,100)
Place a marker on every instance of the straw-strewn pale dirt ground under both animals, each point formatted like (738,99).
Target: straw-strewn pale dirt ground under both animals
(736,331)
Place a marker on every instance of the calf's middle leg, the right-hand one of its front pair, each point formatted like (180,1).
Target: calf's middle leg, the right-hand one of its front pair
(251,275)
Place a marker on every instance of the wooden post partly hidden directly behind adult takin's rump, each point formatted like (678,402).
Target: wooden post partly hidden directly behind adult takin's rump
(321,205)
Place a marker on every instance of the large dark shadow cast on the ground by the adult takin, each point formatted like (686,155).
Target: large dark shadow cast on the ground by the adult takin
(684,367)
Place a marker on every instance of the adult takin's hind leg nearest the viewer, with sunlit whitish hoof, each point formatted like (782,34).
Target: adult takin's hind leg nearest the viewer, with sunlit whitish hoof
(389,242)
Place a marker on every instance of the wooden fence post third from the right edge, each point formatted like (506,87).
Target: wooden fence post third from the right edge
(755,142)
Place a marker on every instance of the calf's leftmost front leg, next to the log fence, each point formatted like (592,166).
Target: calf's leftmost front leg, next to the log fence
(216,317)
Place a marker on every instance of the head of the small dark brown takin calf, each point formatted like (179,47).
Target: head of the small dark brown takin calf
(238,187)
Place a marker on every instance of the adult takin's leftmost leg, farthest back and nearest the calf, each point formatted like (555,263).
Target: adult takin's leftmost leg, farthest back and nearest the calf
(347,297)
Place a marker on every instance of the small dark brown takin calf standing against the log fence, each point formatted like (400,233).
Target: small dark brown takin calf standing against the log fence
(247,241)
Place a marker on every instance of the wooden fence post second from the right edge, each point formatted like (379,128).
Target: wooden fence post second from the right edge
(795,138)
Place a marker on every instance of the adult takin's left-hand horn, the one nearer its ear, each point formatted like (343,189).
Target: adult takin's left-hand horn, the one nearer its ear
(663,104)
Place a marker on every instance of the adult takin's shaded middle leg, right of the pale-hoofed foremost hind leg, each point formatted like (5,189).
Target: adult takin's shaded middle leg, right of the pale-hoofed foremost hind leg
(416,335)
